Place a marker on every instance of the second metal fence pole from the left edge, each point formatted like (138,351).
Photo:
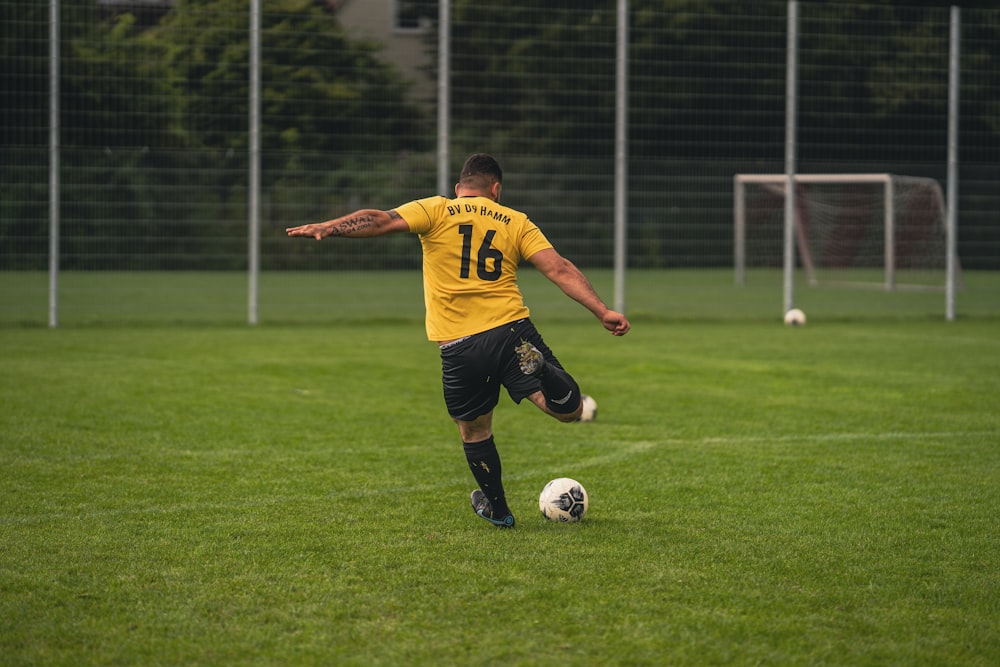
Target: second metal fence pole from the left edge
(253,186)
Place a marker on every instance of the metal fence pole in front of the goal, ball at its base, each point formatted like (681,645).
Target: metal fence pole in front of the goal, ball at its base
(791,93)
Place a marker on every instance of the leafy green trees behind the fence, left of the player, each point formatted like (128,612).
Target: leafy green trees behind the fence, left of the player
(154,127)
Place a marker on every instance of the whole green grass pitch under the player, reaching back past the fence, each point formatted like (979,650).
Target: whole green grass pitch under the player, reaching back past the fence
(181,489)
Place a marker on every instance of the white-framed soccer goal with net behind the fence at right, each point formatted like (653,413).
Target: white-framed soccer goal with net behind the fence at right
(861,230)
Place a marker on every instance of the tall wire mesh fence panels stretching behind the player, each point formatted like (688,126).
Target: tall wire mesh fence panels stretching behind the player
(154,105)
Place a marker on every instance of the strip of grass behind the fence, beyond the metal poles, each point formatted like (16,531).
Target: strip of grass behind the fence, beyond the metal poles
(116,298)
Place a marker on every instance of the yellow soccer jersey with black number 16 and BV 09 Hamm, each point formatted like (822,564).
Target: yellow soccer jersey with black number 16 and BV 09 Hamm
(472,247)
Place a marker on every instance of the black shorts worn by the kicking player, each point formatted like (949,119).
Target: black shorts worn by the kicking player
(474,368)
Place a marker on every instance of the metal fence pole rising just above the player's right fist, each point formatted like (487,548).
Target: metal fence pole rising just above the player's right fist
(621,155)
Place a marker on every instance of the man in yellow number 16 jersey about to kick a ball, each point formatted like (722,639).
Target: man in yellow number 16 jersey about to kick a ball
(475,312)
